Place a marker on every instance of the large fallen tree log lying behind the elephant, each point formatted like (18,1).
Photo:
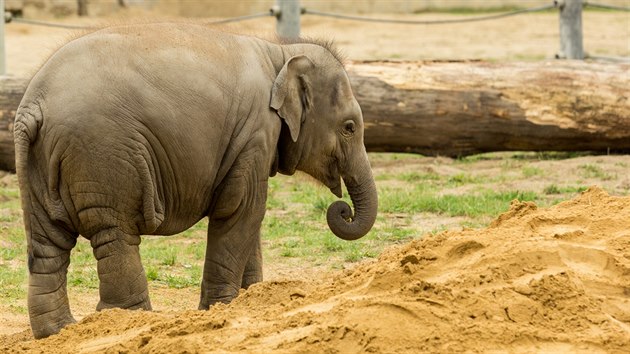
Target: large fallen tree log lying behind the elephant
(463,108)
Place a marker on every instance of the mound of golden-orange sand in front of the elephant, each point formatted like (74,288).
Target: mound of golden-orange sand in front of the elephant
(555,279)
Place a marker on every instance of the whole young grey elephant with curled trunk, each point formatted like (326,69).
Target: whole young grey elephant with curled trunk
(146,129)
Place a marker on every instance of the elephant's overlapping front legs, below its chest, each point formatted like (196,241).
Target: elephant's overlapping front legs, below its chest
(233,249)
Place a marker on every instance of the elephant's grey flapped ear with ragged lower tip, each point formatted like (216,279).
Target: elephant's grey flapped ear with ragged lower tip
(291,93)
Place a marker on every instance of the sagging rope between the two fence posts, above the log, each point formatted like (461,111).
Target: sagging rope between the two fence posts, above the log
(427,22)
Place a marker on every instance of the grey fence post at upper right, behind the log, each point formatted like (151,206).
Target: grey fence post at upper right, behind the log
(571,29)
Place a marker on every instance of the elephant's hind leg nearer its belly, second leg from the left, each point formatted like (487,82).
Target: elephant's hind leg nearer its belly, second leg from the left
(123,282)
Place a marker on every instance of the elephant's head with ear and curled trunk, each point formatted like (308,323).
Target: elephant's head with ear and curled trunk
(323,136)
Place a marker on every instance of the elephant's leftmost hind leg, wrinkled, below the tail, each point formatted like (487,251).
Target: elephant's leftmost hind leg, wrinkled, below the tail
(49,247)
